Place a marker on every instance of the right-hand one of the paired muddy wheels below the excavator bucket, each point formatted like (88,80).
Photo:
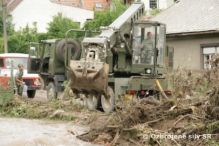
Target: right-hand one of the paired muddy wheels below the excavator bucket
(108,101)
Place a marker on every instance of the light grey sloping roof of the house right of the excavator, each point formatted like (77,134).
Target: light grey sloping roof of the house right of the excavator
(188,16)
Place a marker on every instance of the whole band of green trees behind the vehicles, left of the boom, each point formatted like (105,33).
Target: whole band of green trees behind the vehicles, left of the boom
(18,41)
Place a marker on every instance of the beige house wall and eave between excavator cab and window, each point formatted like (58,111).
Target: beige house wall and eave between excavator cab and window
(188,51)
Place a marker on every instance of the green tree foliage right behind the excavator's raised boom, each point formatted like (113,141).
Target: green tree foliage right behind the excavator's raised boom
(106,17)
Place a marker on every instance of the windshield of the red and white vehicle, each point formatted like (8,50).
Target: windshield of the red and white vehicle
(16,61)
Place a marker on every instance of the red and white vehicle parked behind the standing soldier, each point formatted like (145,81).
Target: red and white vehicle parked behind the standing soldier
(9,65)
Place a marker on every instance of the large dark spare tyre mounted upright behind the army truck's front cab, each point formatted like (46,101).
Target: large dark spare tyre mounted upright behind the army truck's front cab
(73,45)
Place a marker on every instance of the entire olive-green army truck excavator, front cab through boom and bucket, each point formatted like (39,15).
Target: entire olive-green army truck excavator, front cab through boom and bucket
(127,57)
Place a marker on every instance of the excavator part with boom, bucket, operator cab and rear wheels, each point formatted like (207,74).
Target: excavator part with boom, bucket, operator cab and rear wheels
(127,57)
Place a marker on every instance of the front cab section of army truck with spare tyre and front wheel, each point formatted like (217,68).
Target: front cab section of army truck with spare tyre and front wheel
(49,59)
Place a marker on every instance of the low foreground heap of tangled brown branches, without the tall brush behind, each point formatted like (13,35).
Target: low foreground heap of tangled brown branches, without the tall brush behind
(146,122)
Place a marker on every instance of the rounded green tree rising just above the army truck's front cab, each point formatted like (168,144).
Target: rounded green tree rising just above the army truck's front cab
(59,26)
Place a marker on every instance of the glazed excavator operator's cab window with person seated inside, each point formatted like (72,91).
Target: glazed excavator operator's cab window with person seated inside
(147,45)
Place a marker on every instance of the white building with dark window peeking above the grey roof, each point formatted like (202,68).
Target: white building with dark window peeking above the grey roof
(158,4)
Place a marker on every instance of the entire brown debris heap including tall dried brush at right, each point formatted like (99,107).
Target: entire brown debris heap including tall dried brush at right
(189,117)
